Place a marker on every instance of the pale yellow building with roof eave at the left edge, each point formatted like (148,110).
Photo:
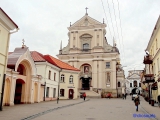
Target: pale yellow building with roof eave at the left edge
(7,27)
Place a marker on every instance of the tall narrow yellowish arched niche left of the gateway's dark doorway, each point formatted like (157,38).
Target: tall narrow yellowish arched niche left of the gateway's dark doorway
(7,92)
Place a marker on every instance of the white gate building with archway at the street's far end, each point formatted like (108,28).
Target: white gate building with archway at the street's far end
(133,80)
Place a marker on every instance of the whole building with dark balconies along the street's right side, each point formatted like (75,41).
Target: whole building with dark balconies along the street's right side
(151,74)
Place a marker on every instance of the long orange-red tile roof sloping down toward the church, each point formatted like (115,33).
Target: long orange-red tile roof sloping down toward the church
(59,63)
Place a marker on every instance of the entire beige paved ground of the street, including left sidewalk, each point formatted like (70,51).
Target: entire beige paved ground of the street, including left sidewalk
(94,109)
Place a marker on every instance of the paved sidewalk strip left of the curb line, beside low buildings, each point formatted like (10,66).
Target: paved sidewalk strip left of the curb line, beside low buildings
(19,112)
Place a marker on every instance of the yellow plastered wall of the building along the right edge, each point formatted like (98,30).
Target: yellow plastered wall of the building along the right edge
(153,69)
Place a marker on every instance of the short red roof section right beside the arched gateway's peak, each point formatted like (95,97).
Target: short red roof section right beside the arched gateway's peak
(37,57)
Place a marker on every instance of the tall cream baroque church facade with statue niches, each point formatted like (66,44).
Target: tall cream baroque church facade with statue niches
(89,51)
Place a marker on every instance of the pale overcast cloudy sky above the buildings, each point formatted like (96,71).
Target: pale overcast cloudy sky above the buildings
(43,24)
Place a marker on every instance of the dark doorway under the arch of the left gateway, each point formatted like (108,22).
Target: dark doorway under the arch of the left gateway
(18,91)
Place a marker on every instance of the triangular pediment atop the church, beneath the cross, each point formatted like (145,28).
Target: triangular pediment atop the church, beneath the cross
(86,21)
